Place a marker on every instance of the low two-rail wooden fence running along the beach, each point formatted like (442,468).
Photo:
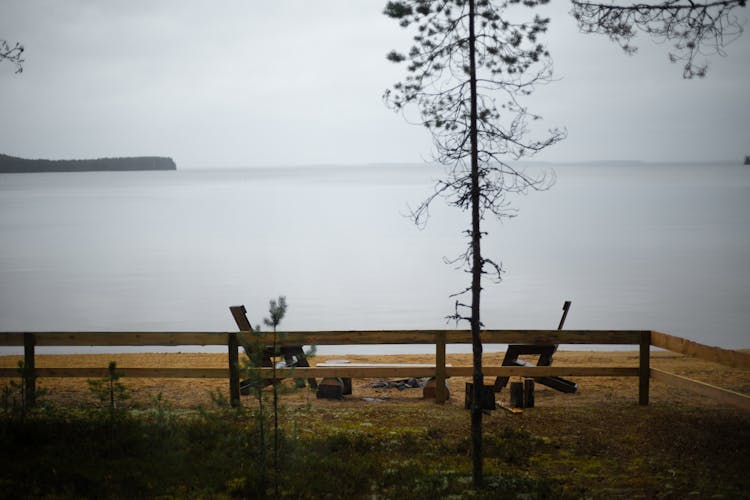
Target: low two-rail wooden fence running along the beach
(644,339)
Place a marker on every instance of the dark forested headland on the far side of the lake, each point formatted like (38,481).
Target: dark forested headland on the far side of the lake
(14,165)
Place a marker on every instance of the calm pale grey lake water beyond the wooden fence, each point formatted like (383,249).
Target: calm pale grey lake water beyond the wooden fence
(648,246)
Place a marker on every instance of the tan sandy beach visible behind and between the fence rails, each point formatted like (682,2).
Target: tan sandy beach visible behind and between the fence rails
(192,393)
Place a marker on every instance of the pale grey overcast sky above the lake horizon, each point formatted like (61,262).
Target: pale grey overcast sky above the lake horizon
(293,82)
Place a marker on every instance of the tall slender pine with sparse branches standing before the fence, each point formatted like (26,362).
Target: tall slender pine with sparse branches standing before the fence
(469,68)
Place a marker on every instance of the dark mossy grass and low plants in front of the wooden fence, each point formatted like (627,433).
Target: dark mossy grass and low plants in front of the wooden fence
(373,450)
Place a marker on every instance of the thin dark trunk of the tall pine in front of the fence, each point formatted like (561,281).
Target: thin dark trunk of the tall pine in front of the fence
(476,269)
